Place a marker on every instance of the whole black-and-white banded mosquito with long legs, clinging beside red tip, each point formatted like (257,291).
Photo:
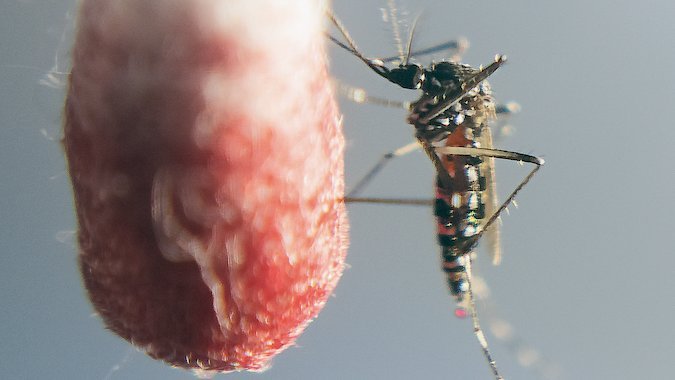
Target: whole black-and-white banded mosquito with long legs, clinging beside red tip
(450,121)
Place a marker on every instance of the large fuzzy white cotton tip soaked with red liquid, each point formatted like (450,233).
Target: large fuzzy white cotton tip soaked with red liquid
(206,156)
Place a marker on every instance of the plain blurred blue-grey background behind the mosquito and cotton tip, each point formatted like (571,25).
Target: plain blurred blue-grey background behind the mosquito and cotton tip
(587,276)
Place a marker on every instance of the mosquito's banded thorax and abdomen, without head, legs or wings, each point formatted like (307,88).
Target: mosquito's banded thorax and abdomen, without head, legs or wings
(460,184)
